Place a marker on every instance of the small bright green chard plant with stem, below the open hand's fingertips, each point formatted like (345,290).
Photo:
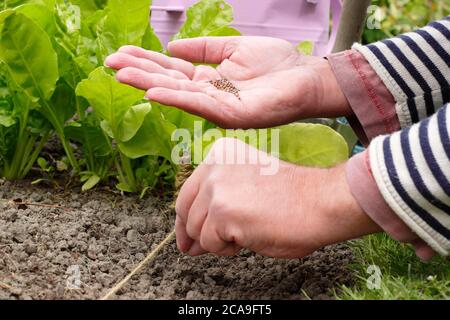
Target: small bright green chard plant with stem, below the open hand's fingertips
(137,128)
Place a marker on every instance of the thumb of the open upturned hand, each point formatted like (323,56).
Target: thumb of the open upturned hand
(204,50)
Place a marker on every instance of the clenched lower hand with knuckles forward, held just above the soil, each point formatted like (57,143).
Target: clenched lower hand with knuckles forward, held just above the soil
(223,208)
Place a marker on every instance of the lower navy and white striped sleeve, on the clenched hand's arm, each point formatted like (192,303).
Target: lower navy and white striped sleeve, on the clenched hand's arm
(412,171)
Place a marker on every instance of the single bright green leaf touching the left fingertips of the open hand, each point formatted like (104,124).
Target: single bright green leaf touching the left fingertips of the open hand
(111,100)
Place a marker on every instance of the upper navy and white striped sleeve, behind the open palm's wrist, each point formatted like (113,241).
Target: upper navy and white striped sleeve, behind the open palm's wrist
(415,67)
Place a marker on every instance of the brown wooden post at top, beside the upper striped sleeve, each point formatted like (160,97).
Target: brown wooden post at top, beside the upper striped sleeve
(352,24)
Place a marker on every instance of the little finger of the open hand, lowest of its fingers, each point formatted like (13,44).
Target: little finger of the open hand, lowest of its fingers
(197,103)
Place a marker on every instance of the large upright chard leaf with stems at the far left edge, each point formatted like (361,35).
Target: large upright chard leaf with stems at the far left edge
(32,66)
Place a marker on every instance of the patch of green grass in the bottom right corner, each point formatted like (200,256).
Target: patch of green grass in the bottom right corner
(403,275)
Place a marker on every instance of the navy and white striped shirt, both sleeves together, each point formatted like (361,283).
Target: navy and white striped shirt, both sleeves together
(412,167)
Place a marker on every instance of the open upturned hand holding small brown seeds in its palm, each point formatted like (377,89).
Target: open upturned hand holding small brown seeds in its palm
(277,84)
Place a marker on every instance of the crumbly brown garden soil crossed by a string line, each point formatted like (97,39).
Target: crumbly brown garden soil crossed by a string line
(54,235)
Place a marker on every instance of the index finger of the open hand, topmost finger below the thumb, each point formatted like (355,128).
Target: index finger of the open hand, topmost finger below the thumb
(164,61)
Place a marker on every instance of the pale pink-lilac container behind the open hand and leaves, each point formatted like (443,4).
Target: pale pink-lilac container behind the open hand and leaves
(292,20)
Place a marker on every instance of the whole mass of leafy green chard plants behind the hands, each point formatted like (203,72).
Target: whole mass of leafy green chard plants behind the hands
(52,81)
